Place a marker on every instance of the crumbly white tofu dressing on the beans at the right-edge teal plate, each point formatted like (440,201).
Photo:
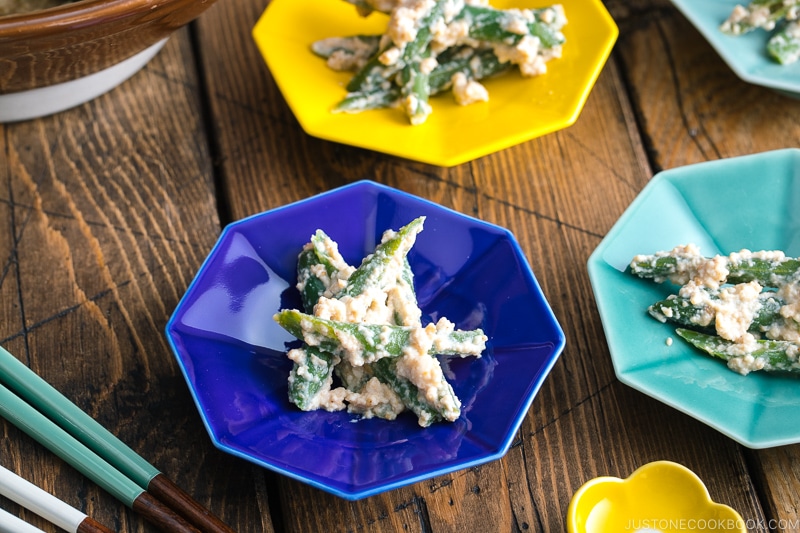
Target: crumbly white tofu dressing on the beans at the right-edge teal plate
(732,312)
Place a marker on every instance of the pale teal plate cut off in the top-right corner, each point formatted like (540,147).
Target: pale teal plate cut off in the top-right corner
(745,54)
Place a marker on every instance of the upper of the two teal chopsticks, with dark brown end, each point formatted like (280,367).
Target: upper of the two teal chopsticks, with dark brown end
(93,436)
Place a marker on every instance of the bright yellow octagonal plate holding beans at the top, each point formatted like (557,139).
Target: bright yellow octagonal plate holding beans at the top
(519,109)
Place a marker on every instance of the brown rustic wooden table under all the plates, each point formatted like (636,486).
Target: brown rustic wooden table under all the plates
(107,211)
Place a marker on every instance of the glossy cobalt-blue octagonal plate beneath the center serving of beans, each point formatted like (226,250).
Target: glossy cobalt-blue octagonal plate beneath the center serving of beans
(233,355)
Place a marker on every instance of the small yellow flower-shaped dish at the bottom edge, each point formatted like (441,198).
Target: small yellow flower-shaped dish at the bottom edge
(659,497)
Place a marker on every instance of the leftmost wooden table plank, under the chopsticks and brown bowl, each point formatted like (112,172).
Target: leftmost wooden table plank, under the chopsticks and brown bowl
(109,209)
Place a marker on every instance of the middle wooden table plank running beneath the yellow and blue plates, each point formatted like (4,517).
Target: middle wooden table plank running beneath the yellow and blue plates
(559,195)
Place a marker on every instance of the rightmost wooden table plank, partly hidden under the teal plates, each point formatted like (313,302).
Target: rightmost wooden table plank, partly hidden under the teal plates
(694,108)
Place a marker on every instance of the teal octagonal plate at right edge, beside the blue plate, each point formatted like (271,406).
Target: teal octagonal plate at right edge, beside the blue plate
(722,206)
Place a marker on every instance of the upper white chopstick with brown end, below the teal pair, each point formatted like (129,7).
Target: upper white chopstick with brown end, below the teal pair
(44,504)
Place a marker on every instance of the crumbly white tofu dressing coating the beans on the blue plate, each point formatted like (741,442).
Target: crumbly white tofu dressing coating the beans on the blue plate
(395,304)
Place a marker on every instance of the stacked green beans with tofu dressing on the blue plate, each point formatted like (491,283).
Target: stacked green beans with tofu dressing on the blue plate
(362,326)
